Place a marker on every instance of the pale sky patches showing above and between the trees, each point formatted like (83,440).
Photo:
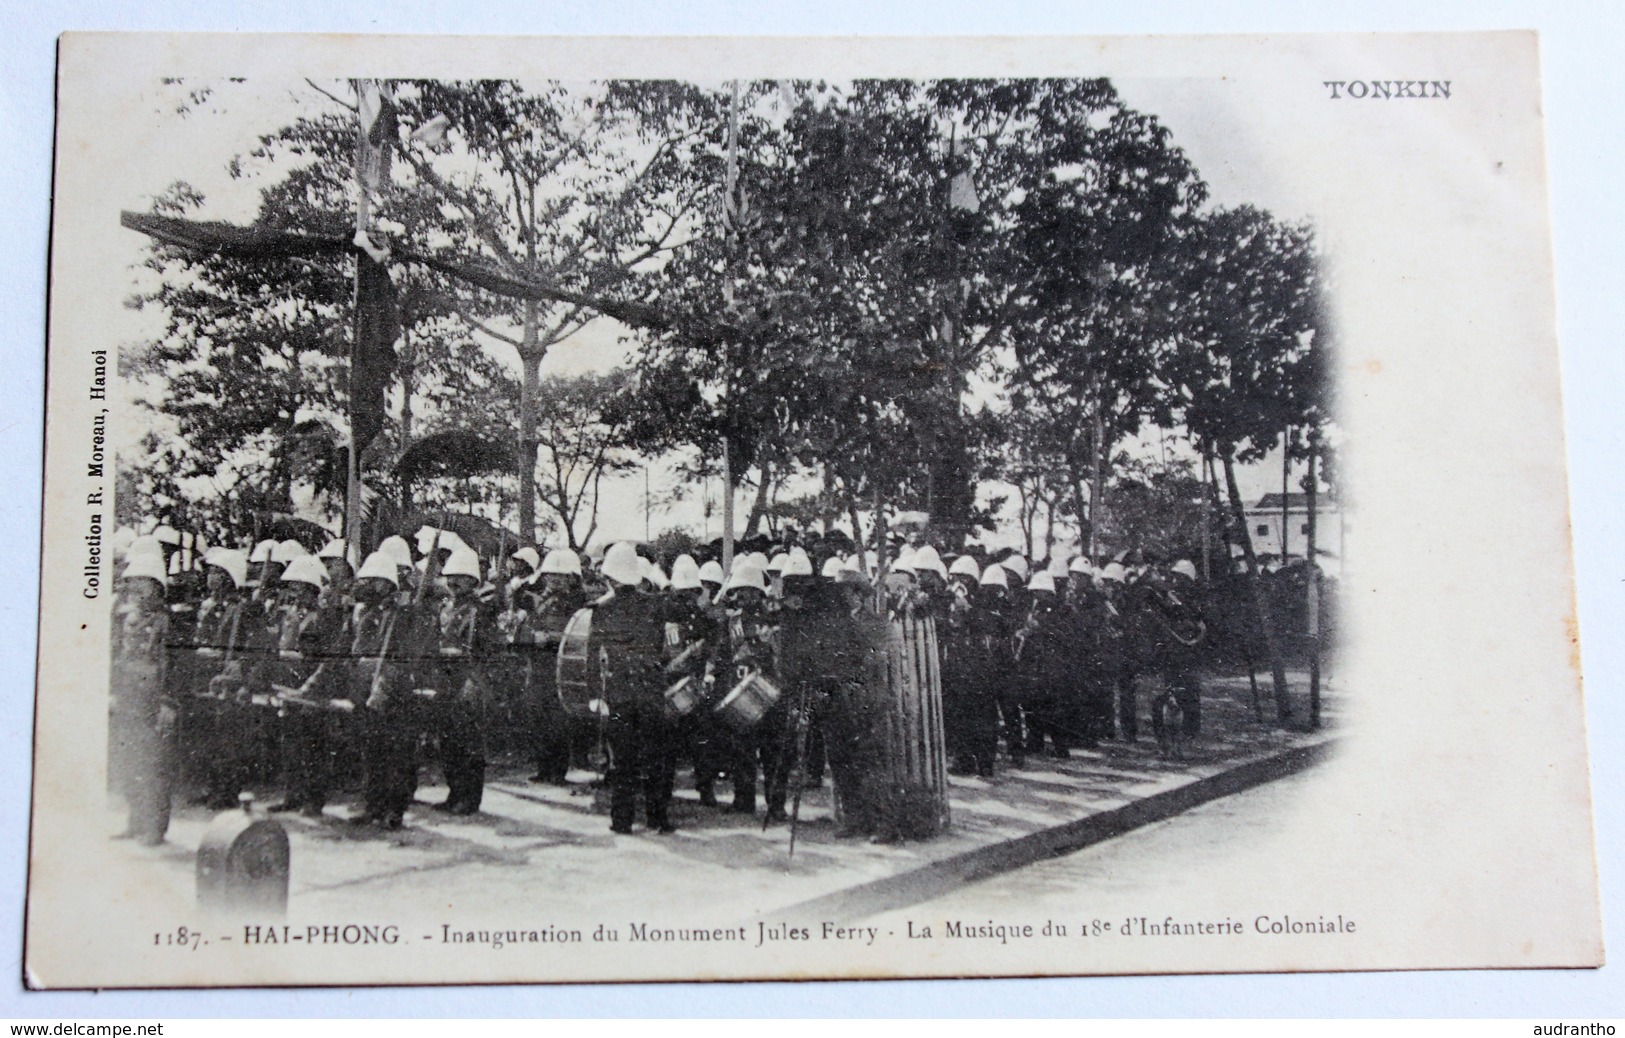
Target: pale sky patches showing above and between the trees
(1218,123)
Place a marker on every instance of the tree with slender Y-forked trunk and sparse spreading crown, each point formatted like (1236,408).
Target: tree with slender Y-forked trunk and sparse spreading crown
(576,189)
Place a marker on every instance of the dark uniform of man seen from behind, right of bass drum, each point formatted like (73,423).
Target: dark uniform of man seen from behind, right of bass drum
(630,631)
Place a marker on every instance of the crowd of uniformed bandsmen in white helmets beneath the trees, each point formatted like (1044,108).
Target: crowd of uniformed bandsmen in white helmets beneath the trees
(275,667)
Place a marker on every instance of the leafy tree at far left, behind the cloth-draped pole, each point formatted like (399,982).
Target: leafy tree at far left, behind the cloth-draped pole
(249,368)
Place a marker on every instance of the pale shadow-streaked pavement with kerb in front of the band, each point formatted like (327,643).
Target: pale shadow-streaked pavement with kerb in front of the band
(548,847)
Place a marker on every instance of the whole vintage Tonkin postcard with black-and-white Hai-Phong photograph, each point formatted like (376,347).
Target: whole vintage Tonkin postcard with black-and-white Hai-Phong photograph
(532,511)
